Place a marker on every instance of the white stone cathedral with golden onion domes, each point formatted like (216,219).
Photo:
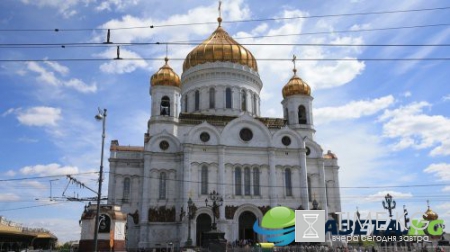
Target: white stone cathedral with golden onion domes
(206,137)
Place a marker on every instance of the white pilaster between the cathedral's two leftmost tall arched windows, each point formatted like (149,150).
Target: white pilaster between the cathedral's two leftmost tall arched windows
(145,199)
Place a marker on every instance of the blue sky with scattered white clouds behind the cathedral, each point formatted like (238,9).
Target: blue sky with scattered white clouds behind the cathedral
(387,121)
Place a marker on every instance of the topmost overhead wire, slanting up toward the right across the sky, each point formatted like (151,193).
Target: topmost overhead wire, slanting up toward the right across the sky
(229,21)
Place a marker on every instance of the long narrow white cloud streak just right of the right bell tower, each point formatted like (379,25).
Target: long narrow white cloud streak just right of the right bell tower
(352,110)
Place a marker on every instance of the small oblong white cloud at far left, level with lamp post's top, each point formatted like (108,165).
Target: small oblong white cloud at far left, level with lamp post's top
(40,116)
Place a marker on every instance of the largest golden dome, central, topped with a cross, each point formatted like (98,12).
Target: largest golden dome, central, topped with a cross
(220,47)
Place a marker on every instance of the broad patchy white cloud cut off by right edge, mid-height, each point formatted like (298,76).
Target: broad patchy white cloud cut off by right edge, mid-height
(415,129)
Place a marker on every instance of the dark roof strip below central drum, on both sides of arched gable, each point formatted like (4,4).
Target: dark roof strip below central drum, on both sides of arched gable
(189,118)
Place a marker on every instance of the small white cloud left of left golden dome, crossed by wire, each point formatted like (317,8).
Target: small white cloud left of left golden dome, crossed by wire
(121,66)
